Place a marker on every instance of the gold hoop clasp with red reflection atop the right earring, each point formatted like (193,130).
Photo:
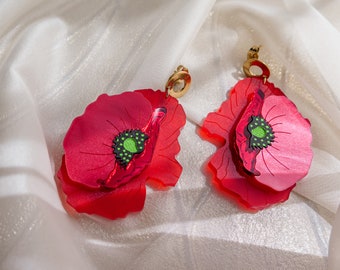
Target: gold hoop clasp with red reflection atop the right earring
(252,60)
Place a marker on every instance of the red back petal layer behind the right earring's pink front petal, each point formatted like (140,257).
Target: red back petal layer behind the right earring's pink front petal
(226,163)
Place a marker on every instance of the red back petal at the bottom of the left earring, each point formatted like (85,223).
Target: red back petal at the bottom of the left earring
(111,204)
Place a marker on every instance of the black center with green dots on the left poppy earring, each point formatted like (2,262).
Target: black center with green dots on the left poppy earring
(128,143)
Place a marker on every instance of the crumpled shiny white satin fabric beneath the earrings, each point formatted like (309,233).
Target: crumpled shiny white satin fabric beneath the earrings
(58,56)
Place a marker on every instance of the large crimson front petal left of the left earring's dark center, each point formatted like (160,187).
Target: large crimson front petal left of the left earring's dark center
(88,153)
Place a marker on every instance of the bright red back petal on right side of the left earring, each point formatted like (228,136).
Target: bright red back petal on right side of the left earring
(164,167)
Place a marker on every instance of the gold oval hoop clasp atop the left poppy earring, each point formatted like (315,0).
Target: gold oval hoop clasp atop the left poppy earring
(178,83)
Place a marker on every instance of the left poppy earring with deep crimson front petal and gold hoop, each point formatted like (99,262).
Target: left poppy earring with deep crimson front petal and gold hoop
(120,143)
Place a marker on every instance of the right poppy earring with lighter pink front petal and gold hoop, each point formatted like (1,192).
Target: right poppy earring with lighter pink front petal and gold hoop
(266,143)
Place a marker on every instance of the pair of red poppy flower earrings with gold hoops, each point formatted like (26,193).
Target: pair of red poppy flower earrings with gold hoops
(123,141)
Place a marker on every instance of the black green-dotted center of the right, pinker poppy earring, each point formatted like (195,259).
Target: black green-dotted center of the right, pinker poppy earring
(261,133)
